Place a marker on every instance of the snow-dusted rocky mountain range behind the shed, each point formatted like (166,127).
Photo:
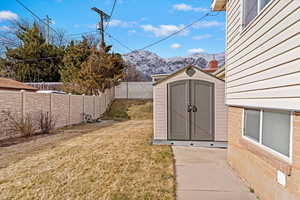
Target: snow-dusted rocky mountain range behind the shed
(148,63)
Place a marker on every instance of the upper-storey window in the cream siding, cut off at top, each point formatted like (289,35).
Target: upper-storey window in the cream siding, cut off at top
(251,9)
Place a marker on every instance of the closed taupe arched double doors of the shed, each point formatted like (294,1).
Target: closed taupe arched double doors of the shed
(191,110)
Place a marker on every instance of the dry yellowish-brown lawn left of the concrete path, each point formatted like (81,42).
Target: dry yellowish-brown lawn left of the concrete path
(113,163)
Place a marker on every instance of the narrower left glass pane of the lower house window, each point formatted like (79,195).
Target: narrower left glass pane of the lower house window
(252,122)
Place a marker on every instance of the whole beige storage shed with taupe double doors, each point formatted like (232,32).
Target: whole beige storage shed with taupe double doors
(189,108)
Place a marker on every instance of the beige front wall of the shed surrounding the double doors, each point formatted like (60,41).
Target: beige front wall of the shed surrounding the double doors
(160,108)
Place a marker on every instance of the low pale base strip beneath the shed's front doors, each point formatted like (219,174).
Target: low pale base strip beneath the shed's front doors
(212,144)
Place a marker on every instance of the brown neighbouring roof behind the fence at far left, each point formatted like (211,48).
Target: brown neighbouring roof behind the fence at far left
(9,84)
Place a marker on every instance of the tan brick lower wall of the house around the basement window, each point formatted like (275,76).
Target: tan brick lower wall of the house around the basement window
(259,167)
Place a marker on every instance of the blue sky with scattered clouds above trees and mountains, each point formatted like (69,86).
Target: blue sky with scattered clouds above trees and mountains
(136,23)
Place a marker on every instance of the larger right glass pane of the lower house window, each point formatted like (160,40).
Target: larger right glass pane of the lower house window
(276,131)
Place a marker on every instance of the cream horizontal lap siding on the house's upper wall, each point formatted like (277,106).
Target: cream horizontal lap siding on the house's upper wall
(263,58)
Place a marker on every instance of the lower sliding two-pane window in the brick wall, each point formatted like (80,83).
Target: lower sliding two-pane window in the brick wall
(269,129)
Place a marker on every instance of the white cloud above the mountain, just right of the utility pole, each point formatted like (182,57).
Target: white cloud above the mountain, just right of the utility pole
(164,30)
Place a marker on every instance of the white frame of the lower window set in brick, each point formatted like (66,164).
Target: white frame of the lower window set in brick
(289,158)
